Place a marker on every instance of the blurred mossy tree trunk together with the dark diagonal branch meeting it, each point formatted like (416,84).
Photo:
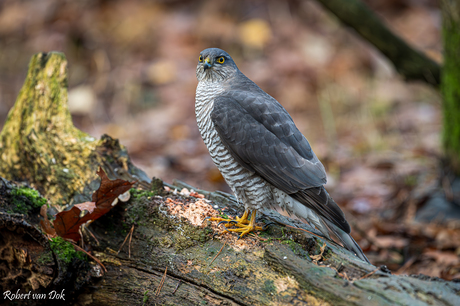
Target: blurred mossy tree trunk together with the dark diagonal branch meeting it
(414,65)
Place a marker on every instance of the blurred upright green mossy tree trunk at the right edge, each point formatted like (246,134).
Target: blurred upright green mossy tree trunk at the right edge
(450,85)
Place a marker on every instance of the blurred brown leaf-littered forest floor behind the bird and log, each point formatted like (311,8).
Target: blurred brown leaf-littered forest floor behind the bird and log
(132,76)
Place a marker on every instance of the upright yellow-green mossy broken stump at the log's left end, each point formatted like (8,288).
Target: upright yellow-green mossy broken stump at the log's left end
(39,143)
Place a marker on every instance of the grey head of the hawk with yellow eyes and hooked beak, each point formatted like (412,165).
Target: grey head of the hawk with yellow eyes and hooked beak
(215,65)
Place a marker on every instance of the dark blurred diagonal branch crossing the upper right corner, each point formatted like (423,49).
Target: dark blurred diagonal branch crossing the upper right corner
(409,62)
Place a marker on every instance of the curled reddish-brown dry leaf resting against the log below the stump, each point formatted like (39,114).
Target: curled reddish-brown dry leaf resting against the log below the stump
(68,222)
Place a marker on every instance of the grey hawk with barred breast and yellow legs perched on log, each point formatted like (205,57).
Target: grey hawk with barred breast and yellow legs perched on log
(261,154)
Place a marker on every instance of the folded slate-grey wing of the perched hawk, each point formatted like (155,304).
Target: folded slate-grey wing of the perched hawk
(261,136)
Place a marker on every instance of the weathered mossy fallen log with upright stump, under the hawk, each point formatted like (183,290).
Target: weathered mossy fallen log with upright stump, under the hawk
(170,260)
